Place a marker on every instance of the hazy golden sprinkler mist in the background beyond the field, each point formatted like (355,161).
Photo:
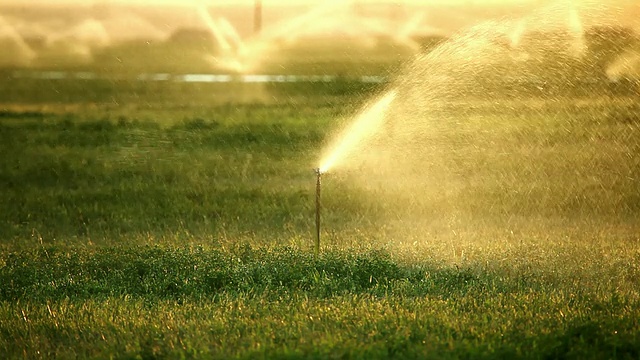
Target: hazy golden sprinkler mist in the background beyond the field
(334,37)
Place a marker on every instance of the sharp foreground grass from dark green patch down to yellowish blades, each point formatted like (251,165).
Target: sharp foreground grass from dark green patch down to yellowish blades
(243,302)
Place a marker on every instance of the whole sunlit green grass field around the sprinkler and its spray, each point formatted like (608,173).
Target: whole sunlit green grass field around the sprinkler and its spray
(165,225)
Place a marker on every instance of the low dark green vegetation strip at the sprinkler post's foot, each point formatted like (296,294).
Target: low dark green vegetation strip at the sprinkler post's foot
(162,273)
